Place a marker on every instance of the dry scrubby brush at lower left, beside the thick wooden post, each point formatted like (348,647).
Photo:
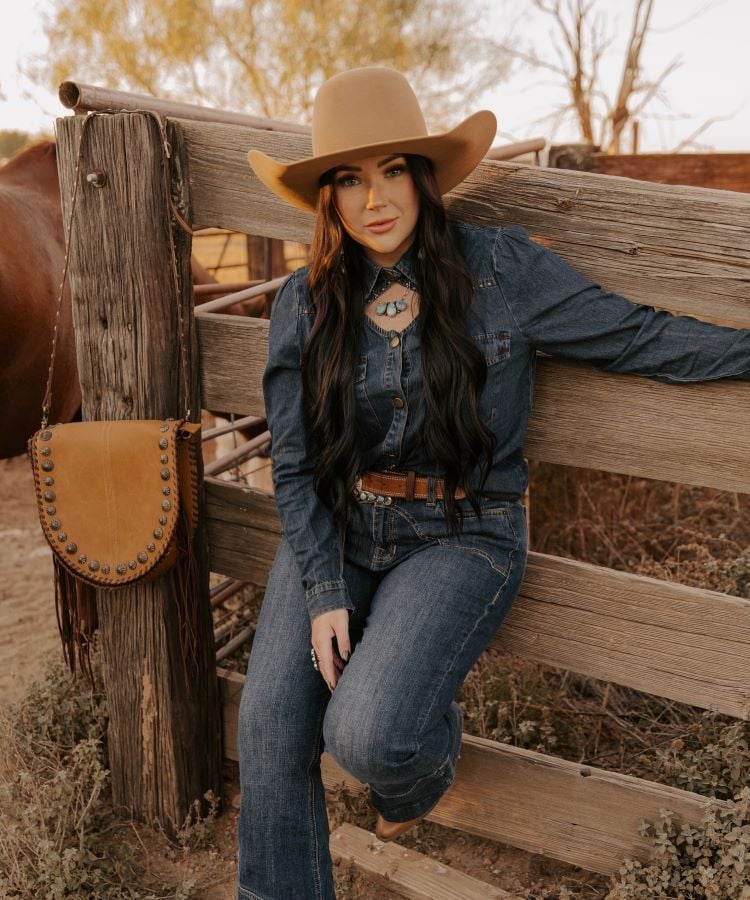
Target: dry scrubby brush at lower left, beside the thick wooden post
(58,835)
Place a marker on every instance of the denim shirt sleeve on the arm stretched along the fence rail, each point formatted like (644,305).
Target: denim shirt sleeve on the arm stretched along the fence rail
(563,313)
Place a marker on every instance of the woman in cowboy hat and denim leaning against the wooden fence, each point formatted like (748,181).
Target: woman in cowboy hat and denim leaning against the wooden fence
(397,390)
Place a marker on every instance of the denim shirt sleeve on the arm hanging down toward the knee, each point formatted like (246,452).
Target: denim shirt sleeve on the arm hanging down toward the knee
(305,520)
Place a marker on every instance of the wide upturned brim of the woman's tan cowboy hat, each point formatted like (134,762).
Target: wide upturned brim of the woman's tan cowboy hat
(455,154)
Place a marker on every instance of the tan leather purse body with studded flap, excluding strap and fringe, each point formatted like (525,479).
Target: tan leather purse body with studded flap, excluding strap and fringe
(110,495)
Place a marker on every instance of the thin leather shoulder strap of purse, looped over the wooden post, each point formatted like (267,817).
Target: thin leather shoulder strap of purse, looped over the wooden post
(166,156)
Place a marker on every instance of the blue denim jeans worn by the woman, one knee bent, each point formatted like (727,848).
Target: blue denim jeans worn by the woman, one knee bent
(426,605)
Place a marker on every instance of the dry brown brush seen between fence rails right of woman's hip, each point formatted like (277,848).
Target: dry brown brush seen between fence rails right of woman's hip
(679,533)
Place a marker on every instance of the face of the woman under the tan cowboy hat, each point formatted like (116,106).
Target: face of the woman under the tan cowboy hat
(378,190)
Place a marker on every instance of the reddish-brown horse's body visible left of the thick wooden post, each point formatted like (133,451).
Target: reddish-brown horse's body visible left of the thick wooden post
(31,263)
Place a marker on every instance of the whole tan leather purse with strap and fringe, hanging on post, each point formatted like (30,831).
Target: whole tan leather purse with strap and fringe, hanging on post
(118,504)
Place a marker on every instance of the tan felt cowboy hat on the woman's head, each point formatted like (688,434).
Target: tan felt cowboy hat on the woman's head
(365,111)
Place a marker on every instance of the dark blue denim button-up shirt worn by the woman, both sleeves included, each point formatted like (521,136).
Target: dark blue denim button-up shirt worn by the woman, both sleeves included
(526,298)
